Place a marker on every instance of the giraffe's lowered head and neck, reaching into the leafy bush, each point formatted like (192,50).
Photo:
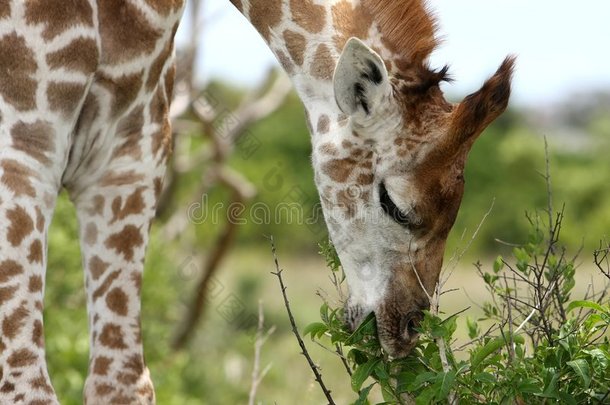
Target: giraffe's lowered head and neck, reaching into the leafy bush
(388,150)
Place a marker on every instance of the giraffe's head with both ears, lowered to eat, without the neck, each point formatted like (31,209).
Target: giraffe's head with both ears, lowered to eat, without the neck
(392,190)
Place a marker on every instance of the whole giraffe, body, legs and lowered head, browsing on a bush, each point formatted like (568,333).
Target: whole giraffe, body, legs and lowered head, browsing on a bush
(84,93)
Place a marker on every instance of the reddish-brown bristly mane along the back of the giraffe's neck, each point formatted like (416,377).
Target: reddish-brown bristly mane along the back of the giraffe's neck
(408,28)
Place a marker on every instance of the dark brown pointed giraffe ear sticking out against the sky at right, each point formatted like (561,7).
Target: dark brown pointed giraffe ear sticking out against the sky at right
(479,109)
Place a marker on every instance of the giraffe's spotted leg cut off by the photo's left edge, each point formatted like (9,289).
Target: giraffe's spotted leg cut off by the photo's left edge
(27,199)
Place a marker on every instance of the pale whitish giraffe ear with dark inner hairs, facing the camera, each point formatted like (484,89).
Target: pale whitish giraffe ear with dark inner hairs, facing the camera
(361,79)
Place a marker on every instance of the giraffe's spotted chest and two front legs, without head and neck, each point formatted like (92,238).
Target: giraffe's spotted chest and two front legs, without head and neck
(84,95)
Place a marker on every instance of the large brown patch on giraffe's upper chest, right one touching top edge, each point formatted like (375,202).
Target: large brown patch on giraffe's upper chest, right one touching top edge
(125,31)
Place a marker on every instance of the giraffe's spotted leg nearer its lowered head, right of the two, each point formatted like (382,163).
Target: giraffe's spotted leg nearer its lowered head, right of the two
(114,223)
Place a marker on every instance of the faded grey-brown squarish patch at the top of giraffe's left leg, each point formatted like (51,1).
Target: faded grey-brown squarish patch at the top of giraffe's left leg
(36,140)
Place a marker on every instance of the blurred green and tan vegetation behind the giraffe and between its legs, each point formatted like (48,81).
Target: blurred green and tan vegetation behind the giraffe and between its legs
(273,157)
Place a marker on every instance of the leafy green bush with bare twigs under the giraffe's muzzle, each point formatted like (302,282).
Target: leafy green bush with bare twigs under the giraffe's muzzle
(542,345)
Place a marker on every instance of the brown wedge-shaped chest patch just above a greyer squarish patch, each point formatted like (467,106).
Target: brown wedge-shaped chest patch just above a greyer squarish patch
(80,55)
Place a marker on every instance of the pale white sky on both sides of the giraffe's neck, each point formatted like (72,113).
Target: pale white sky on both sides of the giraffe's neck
(563,47)
